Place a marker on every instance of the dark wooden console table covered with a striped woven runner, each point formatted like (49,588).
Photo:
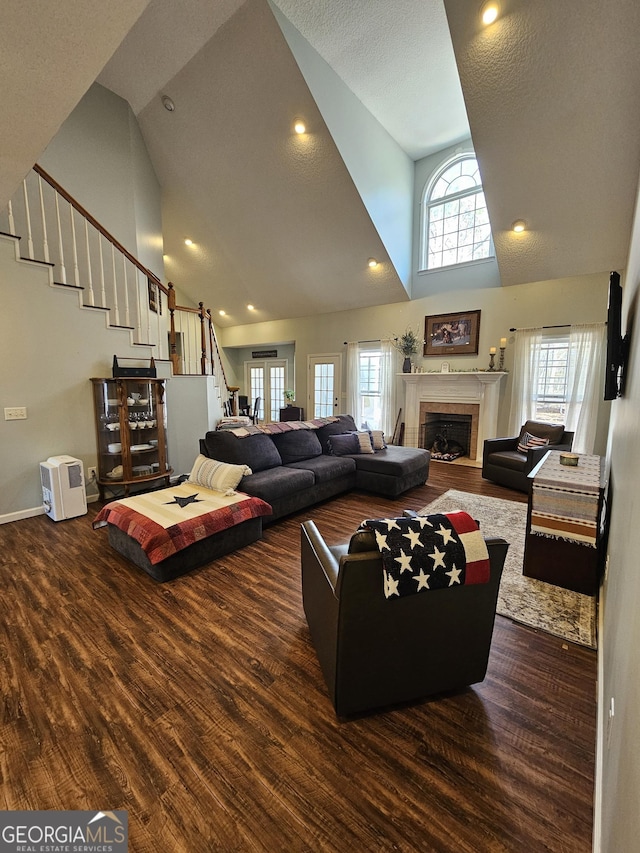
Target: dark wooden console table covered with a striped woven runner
(563,539)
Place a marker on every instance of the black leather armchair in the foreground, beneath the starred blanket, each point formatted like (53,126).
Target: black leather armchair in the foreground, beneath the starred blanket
(376,652)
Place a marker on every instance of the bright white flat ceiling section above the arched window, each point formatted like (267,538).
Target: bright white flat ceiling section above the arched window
(397,59)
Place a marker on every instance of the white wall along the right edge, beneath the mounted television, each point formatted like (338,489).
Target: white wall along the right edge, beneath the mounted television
(618,820)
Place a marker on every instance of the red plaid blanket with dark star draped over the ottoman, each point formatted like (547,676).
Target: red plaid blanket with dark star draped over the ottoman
(166,521)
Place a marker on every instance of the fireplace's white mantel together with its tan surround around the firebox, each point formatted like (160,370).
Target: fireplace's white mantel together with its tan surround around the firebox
(474,393)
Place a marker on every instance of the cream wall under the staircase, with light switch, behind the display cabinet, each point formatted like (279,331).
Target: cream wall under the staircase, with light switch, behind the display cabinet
(50,349)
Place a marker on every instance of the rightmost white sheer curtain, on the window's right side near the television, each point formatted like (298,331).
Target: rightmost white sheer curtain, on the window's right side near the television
(585,383)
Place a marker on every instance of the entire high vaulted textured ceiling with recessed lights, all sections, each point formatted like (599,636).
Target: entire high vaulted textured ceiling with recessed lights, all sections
(550,91)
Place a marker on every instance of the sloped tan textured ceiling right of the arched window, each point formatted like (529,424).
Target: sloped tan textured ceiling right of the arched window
(552,97)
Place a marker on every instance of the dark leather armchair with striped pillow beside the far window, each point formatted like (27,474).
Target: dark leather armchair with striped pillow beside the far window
(503,463)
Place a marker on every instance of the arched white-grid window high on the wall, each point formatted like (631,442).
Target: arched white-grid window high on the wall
(456,227)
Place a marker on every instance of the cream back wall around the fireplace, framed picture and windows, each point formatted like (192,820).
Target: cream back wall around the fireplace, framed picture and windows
(572,300)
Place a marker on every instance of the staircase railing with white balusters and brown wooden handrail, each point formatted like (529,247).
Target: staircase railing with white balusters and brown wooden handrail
(55,230)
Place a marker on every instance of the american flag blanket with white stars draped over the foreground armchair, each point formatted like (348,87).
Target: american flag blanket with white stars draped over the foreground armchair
(430,552)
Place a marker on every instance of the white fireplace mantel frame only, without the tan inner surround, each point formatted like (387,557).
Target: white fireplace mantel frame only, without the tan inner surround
(479,387)
